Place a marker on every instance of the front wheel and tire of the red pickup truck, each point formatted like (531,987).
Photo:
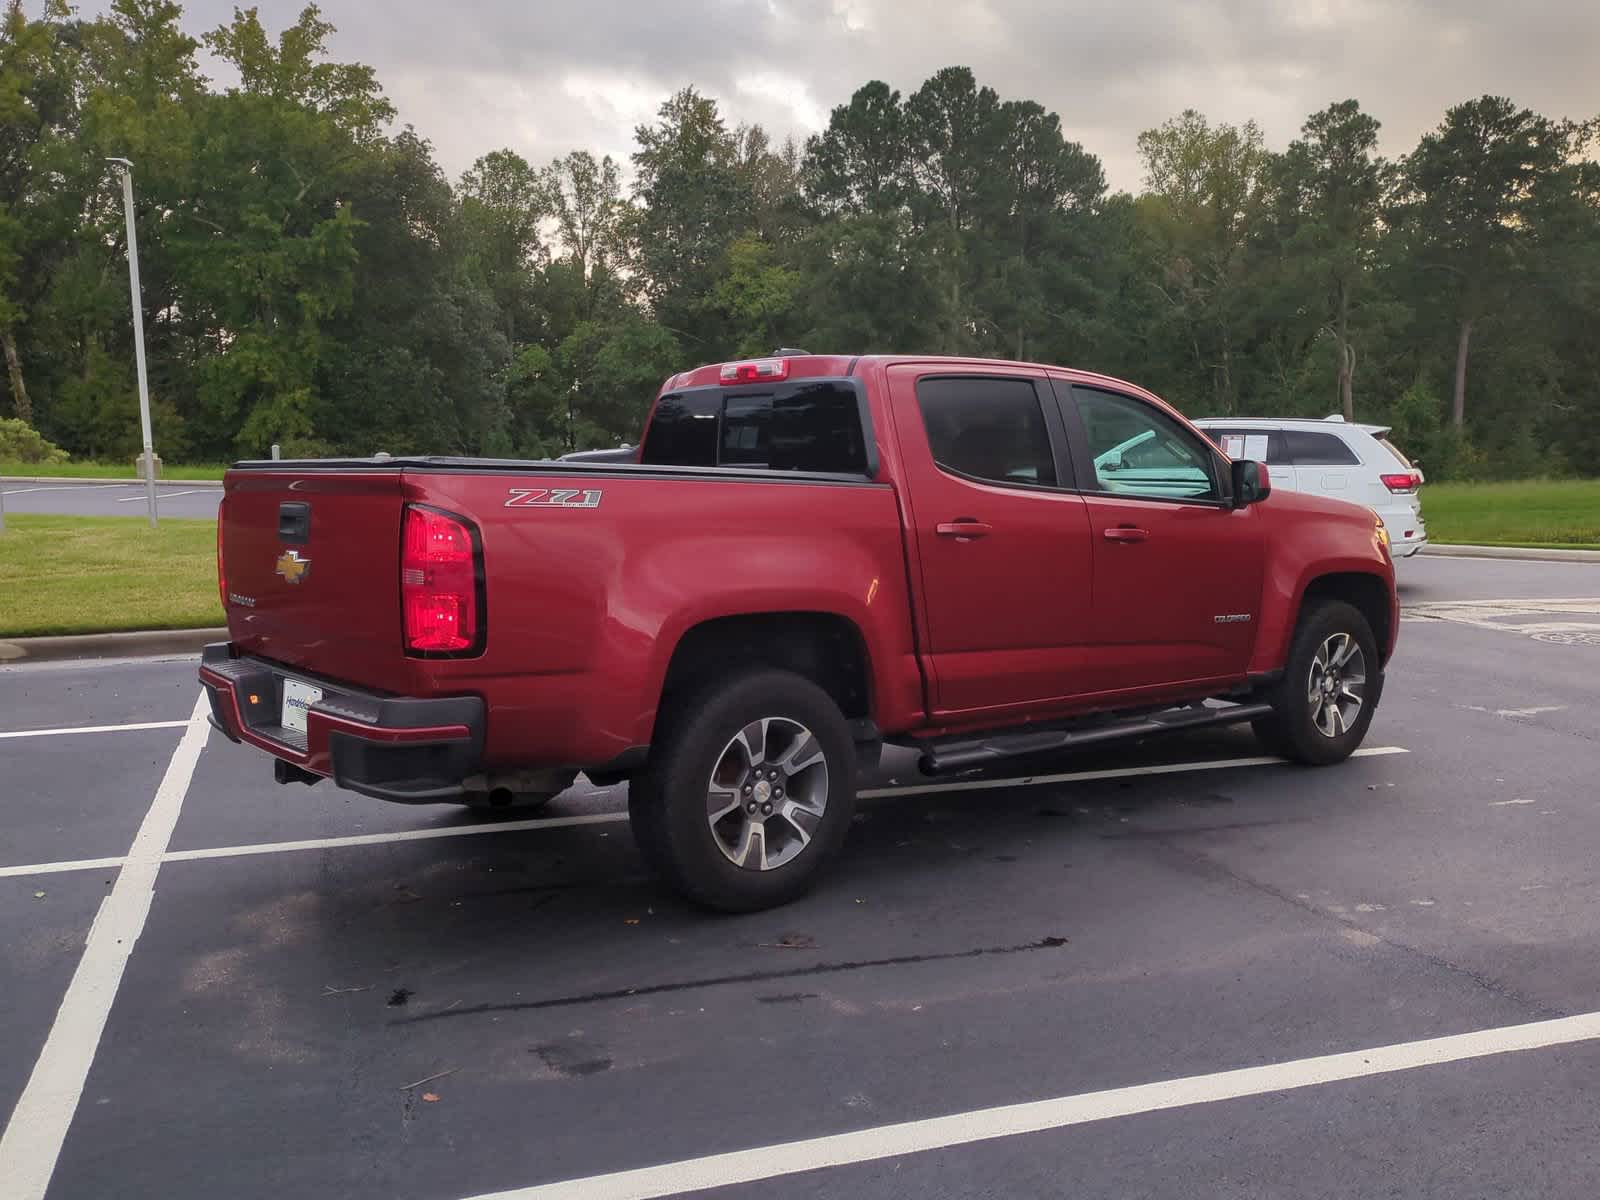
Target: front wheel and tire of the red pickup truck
(1330,689)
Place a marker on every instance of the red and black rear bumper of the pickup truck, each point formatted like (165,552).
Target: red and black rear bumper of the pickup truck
(414,751)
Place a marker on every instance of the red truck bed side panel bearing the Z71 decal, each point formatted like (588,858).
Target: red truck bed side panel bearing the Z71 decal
(586,606)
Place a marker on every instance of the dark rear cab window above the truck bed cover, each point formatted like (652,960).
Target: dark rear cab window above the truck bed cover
(806,426)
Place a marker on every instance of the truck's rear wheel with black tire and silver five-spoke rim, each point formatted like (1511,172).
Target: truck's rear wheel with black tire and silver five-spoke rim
(764,737)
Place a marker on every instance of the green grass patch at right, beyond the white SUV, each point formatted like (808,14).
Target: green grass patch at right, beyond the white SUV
(1545,514)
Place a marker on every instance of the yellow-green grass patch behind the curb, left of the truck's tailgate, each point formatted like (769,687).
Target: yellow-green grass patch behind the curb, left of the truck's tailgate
(92,575)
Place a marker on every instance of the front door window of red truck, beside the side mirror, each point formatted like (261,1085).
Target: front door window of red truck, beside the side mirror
(1142,452)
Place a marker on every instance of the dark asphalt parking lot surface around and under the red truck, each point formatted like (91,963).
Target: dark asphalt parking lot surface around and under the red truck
(1004,990)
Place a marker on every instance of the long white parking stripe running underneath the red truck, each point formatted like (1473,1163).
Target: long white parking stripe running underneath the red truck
(617,818)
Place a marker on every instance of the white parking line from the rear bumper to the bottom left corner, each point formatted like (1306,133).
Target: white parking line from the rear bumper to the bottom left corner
(39,1124)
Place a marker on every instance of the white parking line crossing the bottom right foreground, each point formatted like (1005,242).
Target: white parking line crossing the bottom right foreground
(962,1129)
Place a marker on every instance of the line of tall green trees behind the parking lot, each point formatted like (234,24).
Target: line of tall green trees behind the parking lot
(313,279)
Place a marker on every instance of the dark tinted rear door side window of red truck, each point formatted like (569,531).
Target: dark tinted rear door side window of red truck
(991,430)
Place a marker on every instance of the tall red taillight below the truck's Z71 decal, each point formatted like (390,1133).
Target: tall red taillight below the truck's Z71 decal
(439,585)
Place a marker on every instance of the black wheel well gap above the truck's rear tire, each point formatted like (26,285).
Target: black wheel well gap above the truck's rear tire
(823,647)
